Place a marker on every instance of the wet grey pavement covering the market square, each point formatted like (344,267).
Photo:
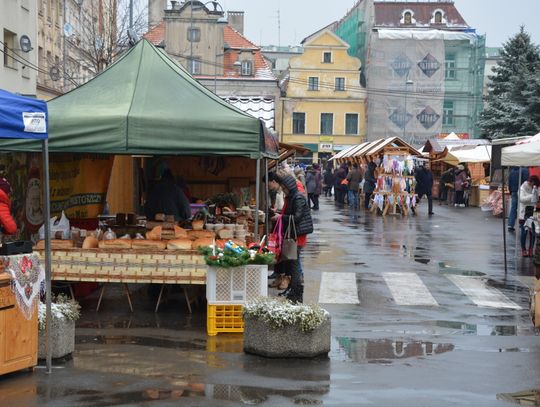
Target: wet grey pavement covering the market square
(386,350)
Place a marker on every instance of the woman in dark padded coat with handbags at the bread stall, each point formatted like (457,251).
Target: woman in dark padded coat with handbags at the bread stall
(296,207)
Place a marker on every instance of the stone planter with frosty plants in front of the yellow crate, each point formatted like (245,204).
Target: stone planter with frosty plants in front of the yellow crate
(277,328)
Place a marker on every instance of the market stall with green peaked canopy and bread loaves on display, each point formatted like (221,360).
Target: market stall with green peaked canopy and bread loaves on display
(146,105)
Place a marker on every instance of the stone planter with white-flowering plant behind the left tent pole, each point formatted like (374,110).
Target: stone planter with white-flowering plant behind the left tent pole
(64,311)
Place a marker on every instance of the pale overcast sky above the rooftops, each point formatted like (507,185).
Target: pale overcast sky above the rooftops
(498,19)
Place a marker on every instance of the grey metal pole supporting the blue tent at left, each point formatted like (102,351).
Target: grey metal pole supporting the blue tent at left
(48,262)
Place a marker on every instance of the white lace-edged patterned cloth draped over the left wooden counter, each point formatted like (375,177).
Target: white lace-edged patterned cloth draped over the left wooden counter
(27,280)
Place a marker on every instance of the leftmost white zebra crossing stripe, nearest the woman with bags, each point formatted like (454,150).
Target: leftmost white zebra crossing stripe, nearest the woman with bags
(338,288)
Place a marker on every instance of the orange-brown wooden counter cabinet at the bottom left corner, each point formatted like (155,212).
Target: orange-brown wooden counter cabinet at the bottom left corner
(18,336)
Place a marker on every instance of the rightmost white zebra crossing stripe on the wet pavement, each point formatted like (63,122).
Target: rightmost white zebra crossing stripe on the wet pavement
(480,294)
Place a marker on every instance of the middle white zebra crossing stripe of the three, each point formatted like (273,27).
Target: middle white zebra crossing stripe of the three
(408,289)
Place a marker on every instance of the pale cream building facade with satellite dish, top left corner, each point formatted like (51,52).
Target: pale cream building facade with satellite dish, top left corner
(18,25)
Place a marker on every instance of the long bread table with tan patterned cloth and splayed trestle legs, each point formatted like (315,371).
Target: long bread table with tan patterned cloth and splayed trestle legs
(165,267)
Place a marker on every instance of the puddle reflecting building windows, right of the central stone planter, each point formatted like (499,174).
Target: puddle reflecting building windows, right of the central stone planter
(383,351)
